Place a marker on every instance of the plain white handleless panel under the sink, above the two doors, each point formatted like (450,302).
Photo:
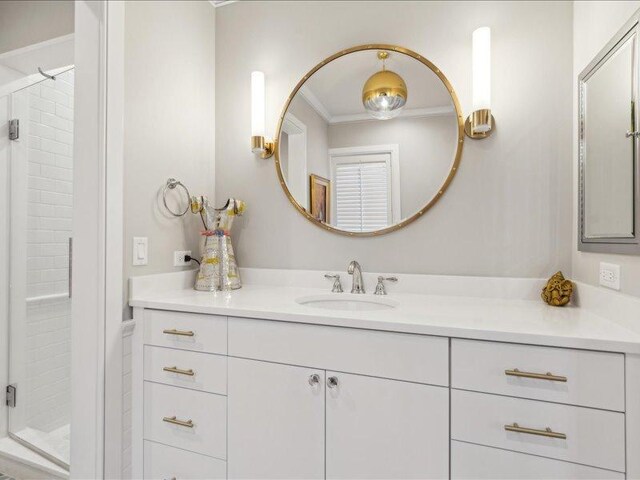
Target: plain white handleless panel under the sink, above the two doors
(401,356)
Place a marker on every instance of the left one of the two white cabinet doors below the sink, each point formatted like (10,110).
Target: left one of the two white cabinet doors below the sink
(276,421)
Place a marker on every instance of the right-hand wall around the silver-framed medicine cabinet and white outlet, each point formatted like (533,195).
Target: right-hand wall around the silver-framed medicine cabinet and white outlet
(594,24)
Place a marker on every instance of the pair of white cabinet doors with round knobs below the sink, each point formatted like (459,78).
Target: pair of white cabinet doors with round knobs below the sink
(297,422)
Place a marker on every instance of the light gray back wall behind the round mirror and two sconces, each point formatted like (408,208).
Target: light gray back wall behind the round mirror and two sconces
(507,212)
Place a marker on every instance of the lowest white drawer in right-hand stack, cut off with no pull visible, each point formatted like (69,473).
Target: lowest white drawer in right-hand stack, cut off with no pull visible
(475,462)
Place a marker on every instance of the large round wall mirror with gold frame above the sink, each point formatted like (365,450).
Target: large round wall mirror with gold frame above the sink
(369,140)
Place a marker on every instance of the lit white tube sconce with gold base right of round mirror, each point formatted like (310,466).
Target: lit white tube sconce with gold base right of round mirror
(480,123)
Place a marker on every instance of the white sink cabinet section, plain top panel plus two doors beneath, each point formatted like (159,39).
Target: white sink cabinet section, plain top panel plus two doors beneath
(288,421)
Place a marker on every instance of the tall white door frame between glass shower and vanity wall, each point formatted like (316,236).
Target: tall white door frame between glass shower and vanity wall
(96,343)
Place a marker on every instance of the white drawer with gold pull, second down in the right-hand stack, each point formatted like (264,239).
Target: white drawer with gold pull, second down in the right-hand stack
(593,437)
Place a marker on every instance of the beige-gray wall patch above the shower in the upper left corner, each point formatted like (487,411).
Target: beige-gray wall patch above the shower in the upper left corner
(24,23)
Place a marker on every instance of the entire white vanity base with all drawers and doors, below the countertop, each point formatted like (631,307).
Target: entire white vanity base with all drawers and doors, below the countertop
(267,399)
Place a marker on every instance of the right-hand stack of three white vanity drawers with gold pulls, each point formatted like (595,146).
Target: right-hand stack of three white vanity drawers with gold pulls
(534,406)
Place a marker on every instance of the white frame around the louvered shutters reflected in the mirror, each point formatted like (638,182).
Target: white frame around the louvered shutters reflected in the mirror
(335,154)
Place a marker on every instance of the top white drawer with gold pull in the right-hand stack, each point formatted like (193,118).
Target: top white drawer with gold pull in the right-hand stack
(593,379)
